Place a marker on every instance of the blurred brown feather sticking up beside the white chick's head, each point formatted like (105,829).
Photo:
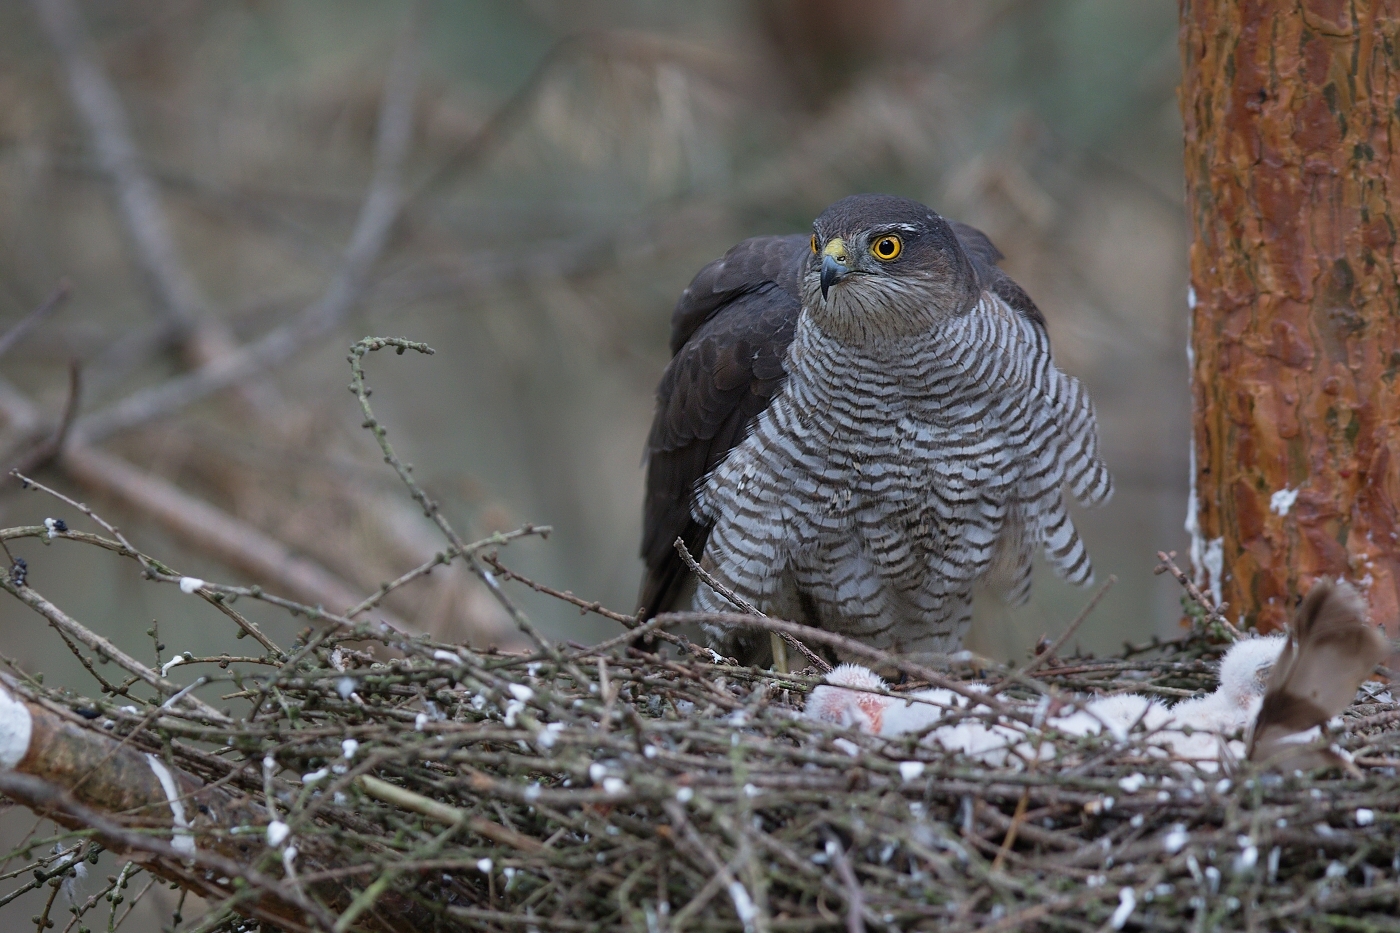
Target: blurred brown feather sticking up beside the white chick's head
(1331,651)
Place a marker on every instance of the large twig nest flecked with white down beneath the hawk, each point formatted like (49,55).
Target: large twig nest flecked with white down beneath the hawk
(377,781)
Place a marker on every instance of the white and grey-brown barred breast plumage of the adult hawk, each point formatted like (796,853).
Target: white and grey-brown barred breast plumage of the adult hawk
(878,488)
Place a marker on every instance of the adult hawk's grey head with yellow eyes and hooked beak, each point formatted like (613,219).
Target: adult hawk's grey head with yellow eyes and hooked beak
(885,268)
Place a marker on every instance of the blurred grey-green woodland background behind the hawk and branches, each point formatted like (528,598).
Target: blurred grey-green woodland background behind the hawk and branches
(570,166)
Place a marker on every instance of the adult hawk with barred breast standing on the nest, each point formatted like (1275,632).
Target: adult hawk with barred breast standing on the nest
(860,427)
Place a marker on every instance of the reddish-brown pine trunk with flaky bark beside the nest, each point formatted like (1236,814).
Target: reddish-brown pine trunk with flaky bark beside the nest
(1291,125)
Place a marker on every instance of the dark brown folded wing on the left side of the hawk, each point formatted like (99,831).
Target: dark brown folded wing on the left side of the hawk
(730,334)
